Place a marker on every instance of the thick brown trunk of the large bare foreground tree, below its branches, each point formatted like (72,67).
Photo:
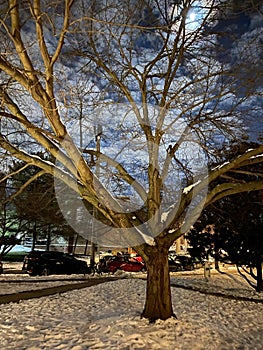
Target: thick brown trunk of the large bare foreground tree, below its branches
(158,303)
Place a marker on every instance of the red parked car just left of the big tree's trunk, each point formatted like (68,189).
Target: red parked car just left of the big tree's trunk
(120,262)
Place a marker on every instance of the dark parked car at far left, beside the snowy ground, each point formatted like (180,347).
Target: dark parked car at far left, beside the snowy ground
(48,263)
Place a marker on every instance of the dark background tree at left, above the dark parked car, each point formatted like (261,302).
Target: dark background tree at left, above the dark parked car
(34,199)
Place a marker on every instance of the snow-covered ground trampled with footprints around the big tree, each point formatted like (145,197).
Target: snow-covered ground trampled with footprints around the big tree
(107,316)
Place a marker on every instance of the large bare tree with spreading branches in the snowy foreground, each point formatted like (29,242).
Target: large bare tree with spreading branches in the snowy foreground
(150,79)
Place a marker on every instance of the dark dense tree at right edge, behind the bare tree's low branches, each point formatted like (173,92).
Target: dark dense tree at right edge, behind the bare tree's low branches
(236,224)
